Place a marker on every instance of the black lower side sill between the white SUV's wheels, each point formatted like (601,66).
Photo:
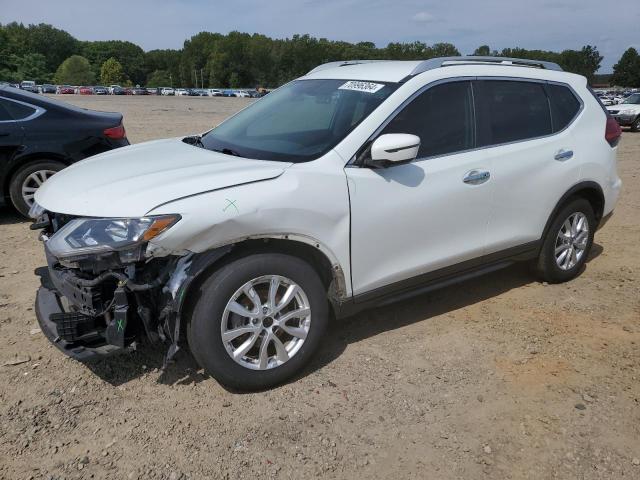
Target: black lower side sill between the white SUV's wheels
(437,279)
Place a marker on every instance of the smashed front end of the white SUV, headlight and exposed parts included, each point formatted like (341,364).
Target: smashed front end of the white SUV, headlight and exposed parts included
(103,291)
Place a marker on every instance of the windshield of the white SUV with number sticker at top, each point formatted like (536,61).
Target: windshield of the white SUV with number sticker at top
(299,122)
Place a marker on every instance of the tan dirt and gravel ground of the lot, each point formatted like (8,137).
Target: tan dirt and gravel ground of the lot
(500,377)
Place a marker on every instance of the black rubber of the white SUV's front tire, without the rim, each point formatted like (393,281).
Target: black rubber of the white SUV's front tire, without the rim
(204,330)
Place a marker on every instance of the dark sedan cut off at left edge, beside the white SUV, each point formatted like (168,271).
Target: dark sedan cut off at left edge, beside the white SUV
(40,136)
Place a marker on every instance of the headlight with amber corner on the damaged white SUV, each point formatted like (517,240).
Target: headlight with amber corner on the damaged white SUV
(84,236)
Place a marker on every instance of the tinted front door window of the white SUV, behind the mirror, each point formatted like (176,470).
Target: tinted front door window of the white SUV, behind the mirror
(441,116)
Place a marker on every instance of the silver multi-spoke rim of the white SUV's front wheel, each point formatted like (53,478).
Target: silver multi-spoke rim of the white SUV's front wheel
(266,322)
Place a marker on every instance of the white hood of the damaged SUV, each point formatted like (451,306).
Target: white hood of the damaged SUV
(131,181)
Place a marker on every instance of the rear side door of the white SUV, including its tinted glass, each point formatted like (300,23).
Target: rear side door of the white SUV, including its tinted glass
(524,127)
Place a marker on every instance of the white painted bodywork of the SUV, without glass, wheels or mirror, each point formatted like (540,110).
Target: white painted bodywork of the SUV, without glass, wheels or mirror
(397,223)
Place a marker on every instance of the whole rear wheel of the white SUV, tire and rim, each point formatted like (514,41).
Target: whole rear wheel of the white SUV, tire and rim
(554,267)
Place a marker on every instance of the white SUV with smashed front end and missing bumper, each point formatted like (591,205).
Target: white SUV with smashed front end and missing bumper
(355,185)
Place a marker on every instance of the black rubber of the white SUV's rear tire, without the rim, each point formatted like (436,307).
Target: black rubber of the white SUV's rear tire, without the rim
(546,265)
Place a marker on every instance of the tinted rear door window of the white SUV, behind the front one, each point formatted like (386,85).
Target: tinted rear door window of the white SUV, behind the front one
(511,110)
